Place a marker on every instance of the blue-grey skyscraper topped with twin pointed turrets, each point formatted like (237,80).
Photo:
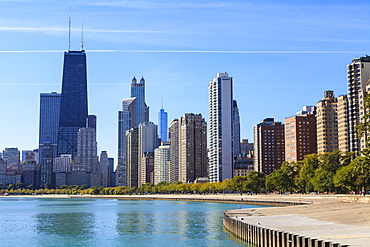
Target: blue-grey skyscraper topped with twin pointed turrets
(142,110)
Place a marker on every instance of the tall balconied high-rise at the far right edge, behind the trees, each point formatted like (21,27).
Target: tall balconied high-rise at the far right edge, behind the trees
(358,74)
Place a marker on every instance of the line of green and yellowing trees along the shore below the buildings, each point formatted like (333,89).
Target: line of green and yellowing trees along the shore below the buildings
(334,172)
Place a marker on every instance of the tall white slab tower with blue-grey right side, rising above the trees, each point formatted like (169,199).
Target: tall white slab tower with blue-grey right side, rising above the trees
(220,128)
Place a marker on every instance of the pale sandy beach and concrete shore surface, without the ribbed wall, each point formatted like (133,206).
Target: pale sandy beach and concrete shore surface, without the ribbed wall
(335,218)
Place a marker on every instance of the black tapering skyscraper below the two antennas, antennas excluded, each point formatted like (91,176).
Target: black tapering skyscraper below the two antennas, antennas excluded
(73,105)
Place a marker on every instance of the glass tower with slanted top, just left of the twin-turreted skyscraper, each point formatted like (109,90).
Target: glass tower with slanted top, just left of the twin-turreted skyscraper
(126,121)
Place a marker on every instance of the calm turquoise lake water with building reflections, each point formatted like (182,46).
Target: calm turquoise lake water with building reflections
(111,222)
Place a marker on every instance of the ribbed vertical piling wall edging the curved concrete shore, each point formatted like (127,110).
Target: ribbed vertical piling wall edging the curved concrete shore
(266,237)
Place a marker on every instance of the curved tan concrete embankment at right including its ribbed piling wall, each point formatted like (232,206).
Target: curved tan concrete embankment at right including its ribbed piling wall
(320,221)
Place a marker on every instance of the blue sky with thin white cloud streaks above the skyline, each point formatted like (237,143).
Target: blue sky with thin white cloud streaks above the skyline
(282,55)
